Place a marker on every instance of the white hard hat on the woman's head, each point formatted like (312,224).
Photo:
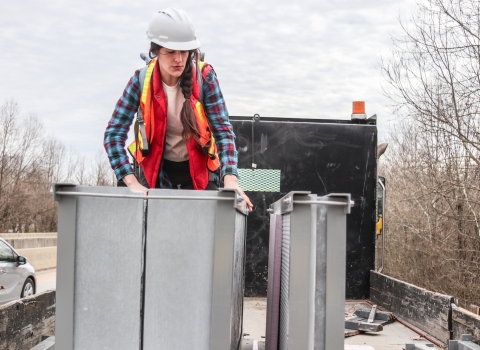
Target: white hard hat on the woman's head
(173,29)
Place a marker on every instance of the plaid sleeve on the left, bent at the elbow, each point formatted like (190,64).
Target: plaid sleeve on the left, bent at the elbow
(117,129)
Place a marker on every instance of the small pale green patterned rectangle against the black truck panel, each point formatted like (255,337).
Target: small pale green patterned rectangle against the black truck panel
(259,180)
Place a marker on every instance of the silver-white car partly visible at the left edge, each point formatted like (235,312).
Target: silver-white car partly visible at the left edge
(17,276)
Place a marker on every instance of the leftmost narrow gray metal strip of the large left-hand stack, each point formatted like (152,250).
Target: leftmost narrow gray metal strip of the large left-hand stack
(67,211)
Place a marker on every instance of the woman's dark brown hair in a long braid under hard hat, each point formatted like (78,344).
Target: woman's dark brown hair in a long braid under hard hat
(187,115)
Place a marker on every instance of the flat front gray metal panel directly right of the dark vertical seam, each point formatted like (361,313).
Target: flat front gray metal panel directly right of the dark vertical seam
(179,271)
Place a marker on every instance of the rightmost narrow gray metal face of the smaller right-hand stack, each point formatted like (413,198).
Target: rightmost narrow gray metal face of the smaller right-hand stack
(335,279)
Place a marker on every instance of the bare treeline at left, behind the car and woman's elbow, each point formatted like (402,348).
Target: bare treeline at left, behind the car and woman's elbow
(30,161)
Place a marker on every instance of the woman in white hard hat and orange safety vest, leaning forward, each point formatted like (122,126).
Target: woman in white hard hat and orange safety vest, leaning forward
(182,107)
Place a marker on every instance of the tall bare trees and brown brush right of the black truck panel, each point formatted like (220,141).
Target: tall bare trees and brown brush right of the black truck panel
(432,165)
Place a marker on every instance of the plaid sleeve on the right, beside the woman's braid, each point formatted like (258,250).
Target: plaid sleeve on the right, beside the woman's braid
(217,115)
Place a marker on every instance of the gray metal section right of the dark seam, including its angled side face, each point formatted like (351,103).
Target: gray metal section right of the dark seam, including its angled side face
(194,272)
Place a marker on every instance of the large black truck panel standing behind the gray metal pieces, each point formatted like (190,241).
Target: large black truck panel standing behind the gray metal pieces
(321,156)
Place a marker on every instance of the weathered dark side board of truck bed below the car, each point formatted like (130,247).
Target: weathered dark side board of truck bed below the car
(23,322)
